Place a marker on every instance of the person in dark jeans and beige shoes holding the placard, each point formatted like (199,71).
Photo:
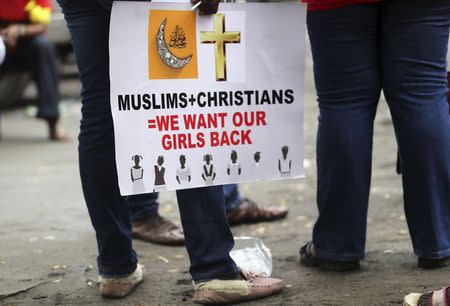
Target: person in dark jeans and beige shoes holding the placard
(202,210)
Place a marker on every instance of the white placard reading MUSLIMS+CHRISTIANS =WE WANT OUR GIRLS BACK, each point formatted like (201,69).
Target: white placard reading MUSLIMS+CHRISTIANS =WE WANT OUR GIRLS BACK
(206,100)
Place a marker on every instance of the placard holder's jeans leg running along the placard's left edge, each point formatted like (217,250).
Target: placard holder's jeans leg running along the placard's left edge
(88,23)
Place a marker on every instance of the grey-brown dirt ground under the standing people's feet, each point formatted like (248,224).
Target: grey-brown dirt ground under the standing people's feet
(48,250)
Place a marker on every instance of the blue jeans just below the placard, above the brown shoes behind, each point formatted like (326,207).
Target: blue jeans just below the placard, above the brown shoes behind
(143,206)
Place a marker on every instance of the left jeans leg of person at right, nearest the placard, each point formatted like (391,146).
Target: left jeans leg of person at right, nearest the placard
(344,47)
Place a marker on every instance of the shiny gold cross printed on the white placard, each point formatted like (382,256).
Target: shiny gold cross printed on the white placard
(219,38)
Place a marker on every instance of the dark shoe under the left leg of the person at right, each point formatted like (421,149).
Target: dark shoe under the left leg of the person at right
(308,258)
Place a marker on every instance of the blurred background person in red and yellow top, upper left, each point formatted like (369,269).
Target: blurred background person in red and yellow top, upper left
(23,25)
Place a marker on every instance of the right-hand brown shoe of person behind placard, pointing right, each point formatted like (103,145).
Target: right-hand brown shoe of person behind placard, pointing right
(250,212)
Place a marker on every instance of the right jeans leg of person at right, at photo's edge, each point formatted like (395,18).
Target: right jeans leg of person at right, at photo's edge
(415,37)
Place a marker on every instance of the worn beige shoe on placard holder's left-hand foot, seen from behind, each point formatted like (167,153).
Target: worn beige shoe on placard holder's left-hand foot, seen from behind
(115,287)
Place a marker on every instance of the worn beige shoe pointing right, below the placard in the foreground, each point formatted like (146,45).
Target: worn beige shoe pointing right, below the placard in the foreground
(250,287)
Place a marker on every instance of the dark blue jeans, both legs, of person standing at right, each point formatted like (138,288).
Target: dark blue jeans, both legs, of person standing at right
(400,47)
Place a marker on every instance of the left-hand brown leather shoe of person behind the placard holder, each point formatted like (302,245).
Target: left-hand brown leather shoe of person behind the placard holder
(159,230)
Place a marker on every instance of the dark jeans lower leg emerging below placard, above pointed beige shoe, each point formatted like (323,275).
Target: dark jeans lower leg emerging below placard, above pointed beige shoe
(208,236)
